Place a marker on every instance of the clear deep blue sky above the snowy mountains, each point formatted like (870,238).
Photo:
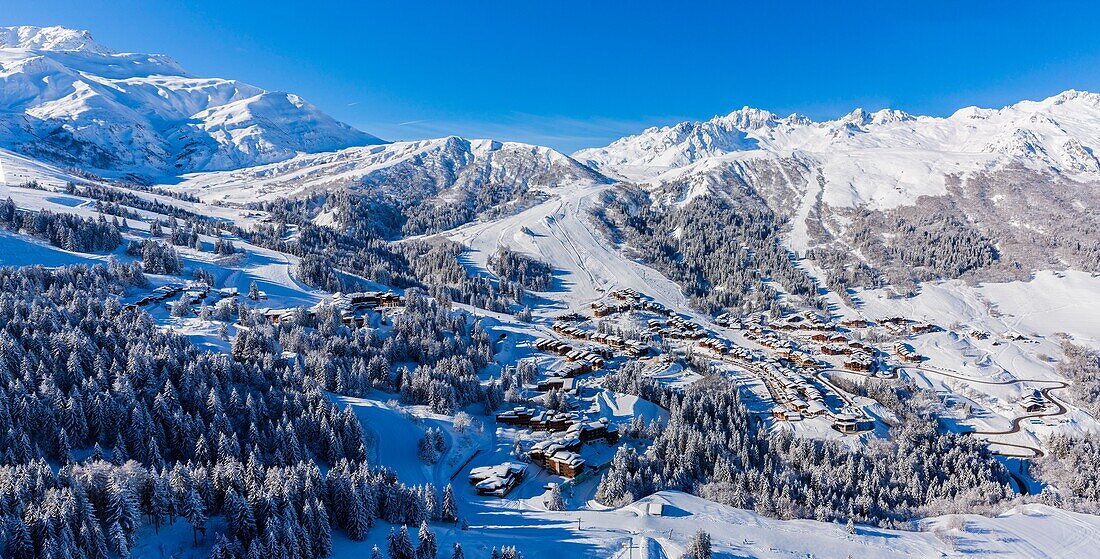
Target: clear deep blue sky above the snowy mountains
(579,74)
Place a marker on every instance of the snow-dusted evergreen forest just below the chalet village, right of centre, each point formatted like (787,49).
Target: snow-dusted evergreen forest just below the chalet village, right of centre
(713,447)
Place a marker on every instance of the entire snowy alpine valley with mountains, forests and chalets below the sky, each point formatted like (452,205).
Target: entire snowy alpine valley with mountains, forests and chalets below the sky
(235,327)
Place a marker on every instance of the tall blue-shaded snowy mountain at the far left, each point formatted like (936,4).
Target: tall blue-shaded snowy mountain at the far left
(69,100)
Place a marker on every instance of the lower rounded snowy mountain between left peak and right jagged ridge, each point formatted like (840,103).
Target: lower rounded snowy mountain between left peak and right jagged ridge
(410,171)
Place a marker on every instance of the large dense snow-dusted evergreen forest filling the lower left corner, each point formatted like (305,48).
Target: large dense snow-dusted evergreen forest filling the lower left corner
(111,423)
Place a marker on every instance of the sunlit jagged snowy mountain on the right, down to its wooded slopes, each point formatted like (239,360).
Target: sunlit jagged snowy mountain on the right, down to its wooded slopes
(1018,166)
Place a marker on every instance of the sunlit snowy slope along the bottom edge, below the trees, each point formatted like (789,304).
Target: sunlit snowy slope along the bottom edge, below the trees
(1031,531)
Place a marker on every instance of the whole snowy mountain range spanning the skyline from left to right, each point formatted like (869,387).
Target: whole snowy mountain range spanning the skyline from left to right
(1020,176)
